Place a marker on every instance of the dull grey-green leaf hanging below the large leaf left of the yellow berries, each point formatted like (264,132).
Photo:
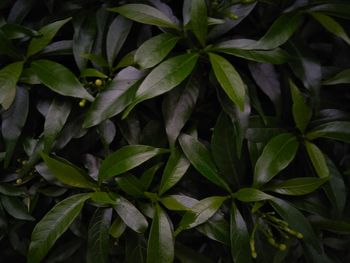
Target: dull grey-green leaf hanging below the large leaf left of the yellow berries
(55,119)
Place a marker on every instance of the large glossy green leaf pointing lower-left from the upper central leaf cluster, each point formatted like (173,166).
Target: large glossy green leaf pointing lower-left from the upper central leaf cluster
(164,77)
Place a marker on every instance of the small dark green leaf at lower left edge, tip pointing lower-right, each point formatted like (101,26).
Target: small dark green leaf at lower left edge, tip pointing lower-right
(16,208)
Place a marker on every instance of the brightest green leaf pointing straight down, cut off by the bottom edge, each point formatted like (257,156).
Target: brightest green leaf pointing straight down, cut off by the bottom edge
(160,245)
